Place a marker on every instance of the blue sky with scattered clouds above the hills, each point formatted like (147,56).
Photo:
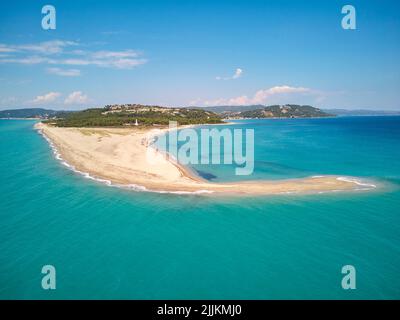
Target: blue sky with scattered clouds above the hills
(180,53)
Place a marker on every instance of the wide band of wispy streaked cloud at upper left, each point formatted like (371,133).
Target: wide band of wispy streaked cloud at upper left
(57,53)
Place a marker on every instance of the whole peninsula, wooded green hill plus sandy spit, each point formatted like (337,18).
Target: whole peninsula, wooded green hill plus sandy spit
(113,143)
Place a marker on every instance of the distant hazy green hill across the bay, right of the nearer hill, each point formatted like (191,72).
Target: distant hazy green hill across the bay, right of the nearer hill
(277,111)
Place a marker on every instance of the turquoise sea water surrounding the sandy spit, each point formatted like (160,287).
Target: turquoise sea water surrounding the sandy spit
(109,243)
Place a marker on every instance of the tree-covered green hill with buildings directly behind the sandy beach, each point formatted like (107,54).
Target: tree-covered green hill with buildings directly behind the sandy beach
(126,115)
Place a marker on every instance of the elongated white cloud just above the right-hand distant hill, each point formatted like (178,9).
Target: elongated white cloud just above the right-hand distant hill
(260,97)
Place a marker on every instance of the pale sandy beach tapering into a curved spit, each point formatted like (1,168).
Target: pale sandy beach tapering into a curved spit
(120,155)
